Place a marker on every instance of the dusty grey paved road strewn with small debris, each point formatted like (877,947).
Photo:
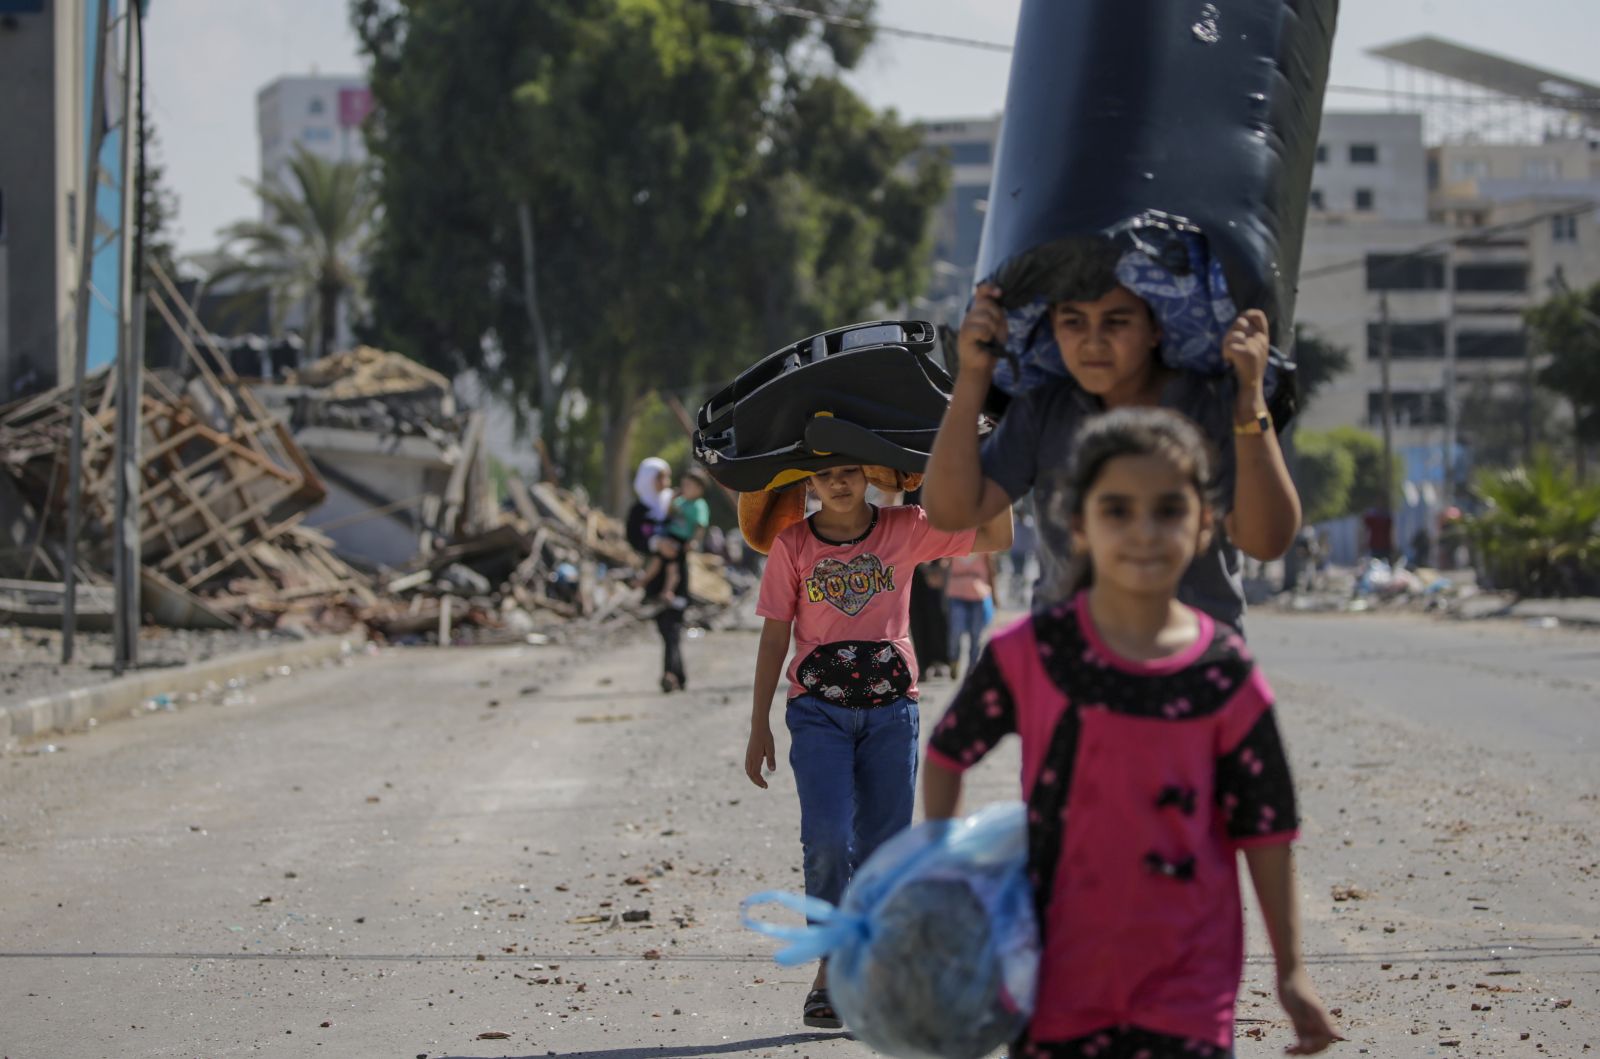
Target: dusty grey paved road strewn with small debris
(396,857)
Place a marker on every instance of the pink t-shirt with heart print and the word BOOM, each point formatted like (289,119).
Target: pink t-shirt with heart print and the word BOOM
(852,591)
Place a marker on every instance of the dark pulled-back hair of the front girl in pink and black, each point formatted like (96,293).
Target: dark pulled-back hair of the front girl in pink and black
(1129,433)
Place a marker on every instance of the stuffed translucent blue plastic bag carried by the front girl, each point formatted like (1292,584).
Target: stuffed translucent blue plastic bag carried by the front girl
(934,951)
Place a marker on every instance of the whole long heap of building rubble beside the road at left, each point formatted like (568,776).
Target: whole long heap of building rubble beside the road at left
(354,495)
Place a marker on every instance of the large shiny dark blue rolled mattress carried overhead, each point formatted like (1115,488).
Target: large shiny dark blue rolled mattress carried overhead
(1185,129)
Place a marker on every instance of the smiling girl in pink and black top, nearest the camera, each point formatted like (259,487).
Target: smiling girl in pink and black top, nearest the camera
(1151,757)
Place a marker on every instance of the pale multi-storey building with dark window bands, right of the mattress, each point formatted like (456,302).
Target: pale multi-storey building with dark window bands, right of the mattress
(1452,297)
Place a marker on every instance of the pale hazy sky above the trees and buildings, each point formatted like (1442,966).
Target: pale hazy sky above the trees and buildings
(209,58)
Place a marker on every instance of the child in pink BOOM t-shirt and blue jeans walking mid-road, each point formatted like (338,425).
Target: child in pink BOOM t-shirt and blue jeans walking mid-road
(839,586)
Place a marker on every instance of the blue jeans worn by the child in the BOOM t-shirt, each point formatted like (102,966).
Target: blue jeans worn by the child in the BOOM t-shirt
(857,773)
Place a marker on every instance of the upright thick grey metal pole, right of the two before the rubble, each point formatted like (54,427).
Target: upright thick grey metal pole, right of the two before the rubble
(130,366)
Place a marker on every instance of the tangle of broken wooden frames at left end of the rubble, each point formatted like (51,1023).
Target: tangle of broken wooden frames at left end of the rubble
(225,490)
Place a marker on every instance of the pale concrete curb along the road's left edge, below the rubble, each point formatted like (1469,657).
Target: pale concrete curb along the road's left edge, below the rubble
(116,698)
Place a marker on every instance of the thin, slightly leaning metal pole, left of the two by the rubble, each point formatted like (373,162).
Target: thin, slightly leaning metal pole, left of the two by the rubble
(70,573)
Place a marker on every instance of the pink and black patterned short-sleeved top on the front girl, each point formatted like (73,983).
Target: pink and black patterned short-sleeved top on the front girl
(1143,781)
